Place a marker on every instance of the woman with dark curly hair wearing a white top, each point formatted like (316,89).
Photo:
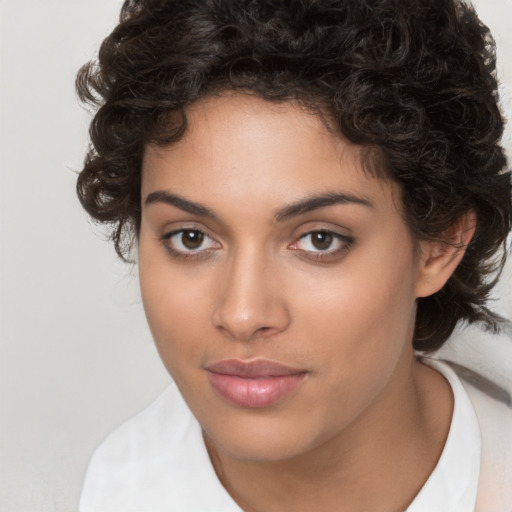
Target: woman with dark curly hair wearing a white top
(317,196)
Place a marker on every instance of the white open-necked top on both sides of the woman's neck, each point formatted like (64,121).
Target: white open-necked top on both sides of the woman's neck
(157,462)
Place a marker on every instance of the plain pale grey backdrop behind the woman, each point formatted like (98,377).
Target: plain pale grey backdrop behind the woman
(76,356)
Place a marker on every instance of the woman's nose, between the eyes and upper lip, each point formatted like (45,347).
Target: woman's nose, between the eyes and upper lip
(251,301)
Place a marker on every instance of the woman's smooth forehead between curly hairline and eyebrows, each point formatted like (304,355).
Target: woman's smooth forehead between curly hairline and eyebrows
(238,145)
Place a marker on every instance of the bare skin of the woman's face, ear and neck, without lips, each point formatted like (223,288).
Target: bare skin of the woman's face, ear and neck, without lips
(365,428)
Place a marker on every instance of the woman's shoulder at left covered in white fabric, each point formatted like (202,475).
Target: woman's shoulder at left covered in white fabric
(155,461)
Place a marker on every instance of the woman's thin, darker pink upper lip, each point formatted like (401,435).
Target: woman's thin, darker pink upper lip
(252,369)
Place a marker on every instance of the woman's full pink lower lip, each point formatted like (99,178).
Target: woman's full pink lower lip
(255,392)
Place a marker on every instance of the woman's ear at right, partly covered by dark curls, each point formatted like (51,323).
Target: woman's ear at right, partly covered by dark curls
(439,259)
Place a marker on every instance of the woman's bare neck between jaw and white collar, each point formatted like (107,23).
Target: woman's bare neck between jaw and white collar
(380,462)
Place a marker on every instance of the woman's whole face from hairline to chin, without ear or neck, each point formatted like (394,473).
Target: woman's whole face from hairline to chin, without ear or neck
(278,278)
